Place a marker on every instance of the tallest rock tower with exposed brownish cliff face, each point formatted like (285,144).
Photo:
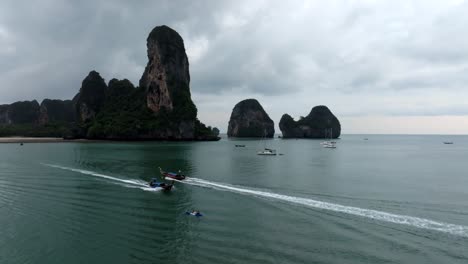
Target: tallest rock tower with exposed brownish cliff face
(166,81)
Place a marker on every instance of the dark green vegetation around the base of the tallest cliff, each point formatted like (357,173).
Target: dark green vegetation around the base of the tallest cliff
(124,115)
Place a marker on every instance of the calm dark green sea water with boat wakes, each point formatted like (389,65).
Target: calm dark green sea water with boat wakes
(390,199)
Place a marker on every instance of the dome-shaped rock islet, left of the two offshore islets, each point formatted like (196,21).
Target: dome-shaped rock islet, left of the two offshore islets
(249,119)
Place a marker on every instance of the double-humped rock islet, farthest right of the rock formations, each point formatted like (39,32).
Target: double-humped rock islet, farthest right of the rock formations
(320,123)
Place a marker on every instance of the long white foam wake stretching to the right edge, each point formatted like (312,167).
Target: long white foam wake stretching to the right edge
(453,229)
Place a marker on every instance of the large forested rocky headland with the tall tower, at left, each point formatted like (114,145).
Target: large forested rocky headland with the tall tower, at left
(161,107)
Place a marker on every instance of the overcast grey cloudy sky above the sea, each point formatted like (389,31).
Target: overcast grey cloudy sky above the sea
(382,67)
